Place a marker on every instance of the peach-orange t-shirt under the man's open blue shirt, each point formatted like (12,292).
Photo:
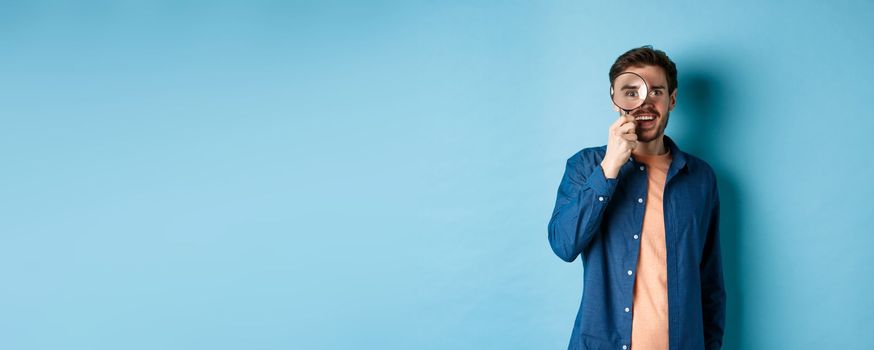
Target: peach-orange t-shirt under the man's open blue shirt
(649,325)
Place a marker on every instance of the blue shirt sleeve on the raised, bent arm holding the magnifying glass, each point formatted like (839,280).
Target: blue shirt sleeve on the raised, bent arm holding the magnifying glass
(582,198)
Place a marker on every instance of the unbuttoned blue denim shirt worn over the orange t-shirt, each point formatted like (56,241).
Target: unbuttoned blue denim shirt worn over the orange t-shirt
(596,218)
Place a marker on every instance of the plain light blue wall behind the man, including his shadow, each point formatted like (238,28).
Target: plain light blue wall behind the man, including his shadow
(379,175)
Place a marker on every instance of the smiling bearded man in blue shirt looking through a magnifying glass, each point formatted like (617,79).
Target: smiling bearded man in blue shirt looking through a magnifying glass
(644,216)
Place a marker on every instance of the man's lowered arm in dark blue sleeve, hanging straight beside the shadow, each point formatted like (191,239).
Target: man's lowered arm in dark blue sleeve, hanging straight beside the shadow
(712,285)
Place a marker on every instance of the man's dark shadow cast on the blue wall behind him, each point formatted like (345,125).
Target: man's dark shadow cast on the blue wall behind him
(704,96)
